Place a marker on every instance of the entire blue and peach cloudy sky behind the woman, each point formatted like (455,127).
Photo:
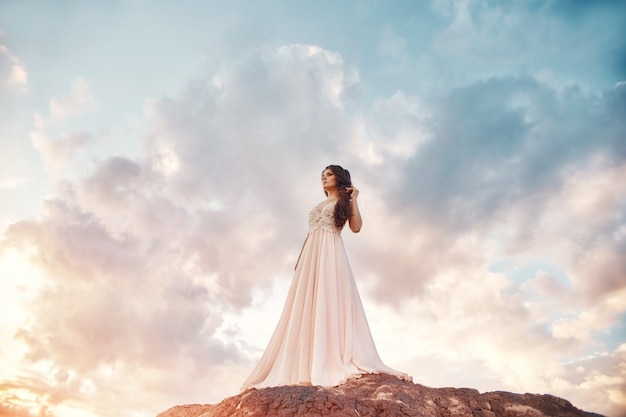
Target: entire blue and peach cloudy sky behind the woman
(158,161)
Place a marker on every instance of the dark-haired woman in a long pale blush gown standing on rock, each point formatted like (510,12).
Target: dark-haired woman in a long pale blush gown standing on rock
(322,337)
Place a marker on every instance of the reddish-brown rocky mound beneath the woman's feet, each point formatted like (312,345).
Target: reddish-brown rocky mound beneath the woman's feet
(380,395)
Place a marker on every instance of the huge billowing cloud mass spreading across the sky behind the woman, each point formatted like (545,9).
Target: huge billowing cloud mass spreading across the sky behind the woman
(152,260)
